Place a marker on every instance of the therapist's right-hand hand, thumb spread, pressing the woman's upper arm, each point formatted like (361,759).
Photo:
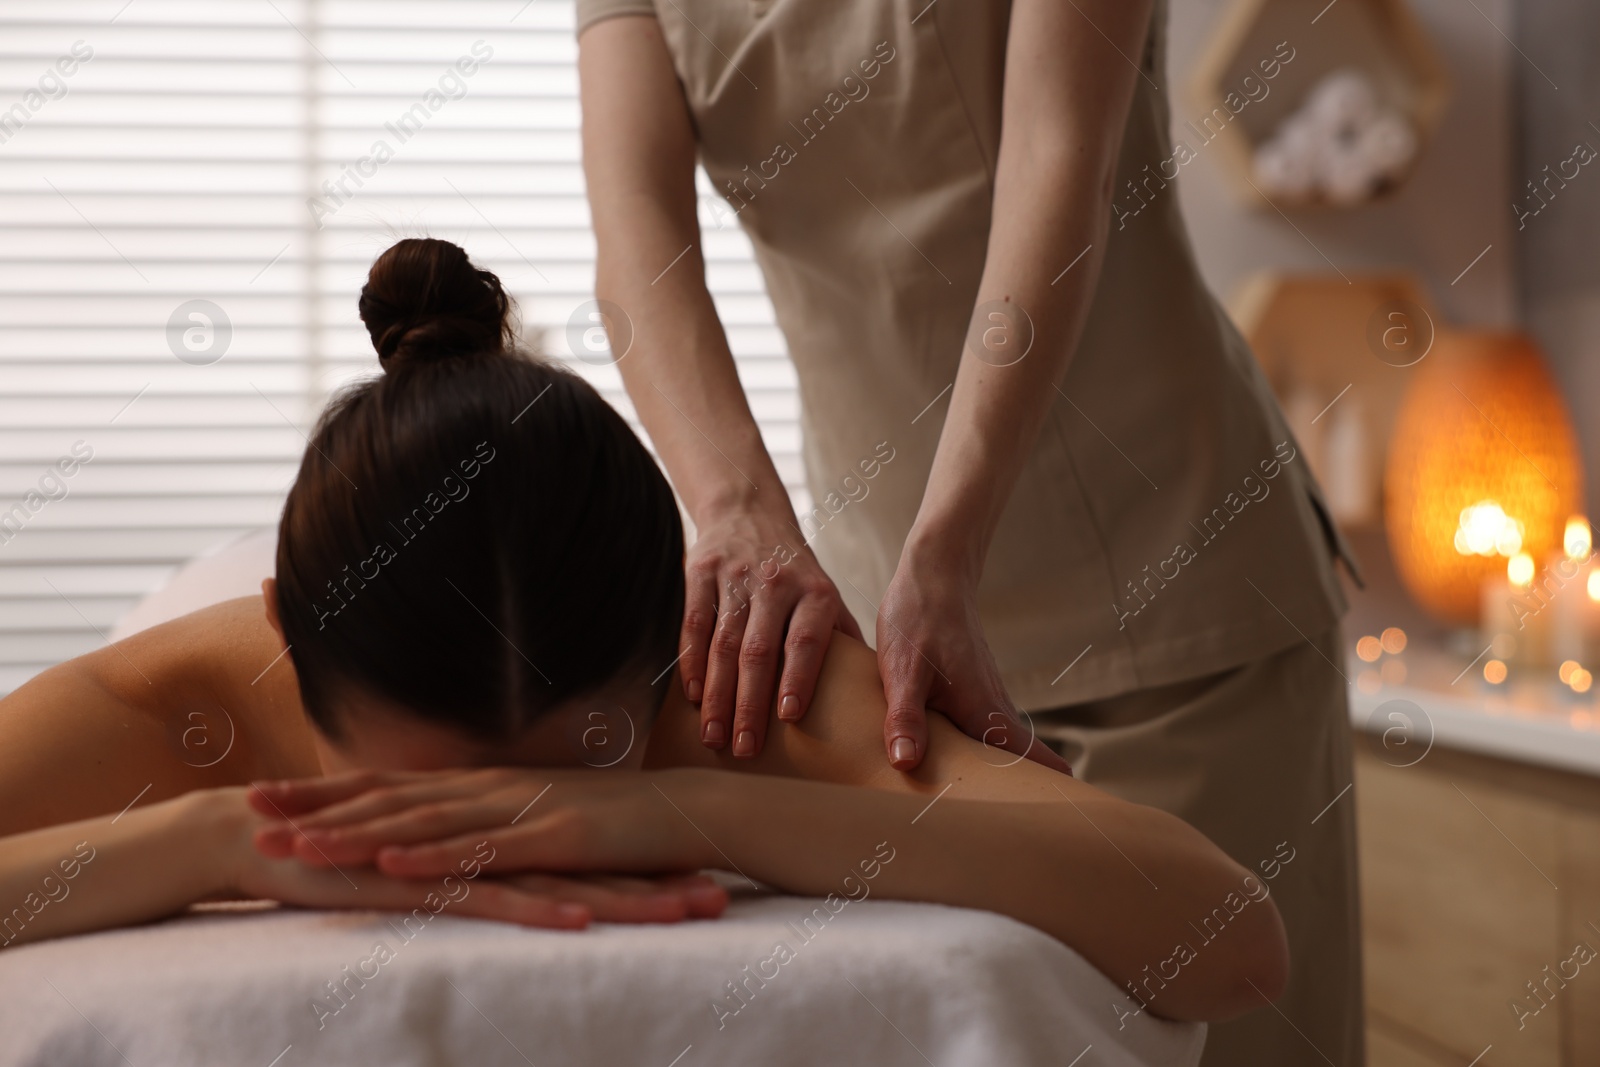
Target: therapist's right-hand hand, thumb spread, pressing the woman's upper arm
(934,657)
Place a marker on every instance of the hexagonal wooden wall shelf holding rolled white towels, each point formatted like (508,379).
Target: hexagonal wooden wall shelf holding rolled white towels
(1378,41)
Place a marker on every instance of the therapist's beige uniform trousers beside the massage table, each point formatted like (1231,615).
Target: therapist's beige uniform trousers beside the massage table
(1258,759)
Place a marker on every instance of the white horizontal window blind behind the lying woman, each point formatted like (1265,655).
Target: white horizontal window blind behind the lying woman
(191,194)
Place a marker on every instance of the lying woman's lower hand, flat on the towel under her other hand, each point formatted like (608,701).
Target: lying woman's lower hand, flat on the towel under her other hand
(468,885)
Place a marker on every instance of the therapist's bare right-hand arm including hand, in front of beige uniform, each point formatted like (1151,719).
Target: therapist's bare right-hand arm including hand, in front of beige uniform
(1071,73)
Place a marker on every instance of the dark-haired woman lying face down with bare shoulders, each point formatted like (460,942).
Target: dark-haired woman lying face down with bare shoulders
(466,661)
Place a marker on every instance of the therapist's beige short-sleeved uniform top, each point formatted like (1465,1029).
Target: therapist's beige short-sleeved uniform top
(1164,527)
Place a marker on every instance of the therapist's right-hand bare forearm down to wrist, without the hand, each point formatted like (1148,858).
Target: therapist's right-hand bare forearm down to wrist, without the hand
(1068,90)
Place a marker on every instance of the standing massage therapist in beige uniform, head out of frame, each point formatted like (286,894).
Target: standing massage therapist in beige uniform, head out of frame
(1046,465)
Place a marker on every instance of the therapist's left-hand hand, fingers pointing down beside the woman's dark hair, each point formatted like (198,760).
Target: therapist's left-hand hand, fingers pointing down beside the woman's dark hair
(756,602)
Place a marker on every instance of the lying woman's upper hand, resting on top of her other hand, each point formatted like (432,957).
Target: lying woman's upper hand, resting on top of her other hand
(535,821)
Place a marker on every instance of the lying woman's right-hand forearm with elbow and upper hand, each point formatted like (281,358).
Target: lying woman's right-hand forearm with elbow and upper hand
(1127,887)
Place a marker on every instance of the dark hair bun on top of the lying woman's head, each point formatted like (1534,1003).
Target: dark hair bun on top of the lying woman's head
(426,302)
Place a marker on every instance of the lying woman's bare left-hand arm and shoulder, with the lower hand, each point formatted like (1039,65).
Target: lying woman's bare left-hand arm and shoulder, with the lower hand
(122,796)
